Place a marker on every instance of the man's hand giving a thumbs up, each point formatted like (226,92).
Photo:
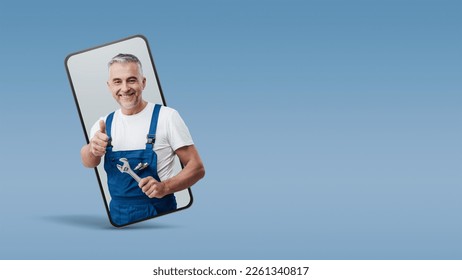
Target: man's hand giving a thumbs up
(91,153)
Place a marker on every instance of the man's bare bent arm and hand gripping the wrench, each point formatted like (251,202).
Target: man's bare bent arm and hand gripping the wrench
(192,172)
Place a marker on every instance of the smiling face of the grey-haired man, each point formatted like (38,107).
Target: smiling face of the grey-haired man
(126,84)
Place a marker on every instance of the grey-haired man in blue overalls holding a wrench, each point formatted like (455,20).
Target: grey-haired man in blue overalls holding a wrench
(148,136)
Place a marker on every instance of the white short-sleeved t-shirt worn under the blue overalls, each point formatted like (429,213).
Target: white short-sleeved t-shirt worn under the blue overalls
(129,133)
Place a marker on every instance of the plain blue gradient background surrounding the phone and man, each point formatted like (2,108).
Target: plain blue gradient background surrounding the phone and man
(329,129)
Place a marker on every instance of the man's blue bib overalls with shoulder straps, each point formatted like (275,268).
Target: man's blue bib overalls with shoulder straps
(128,202)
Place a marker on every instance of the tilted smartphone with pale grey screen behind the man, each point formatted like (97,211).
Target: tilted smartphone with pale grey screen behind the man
(88,75)
